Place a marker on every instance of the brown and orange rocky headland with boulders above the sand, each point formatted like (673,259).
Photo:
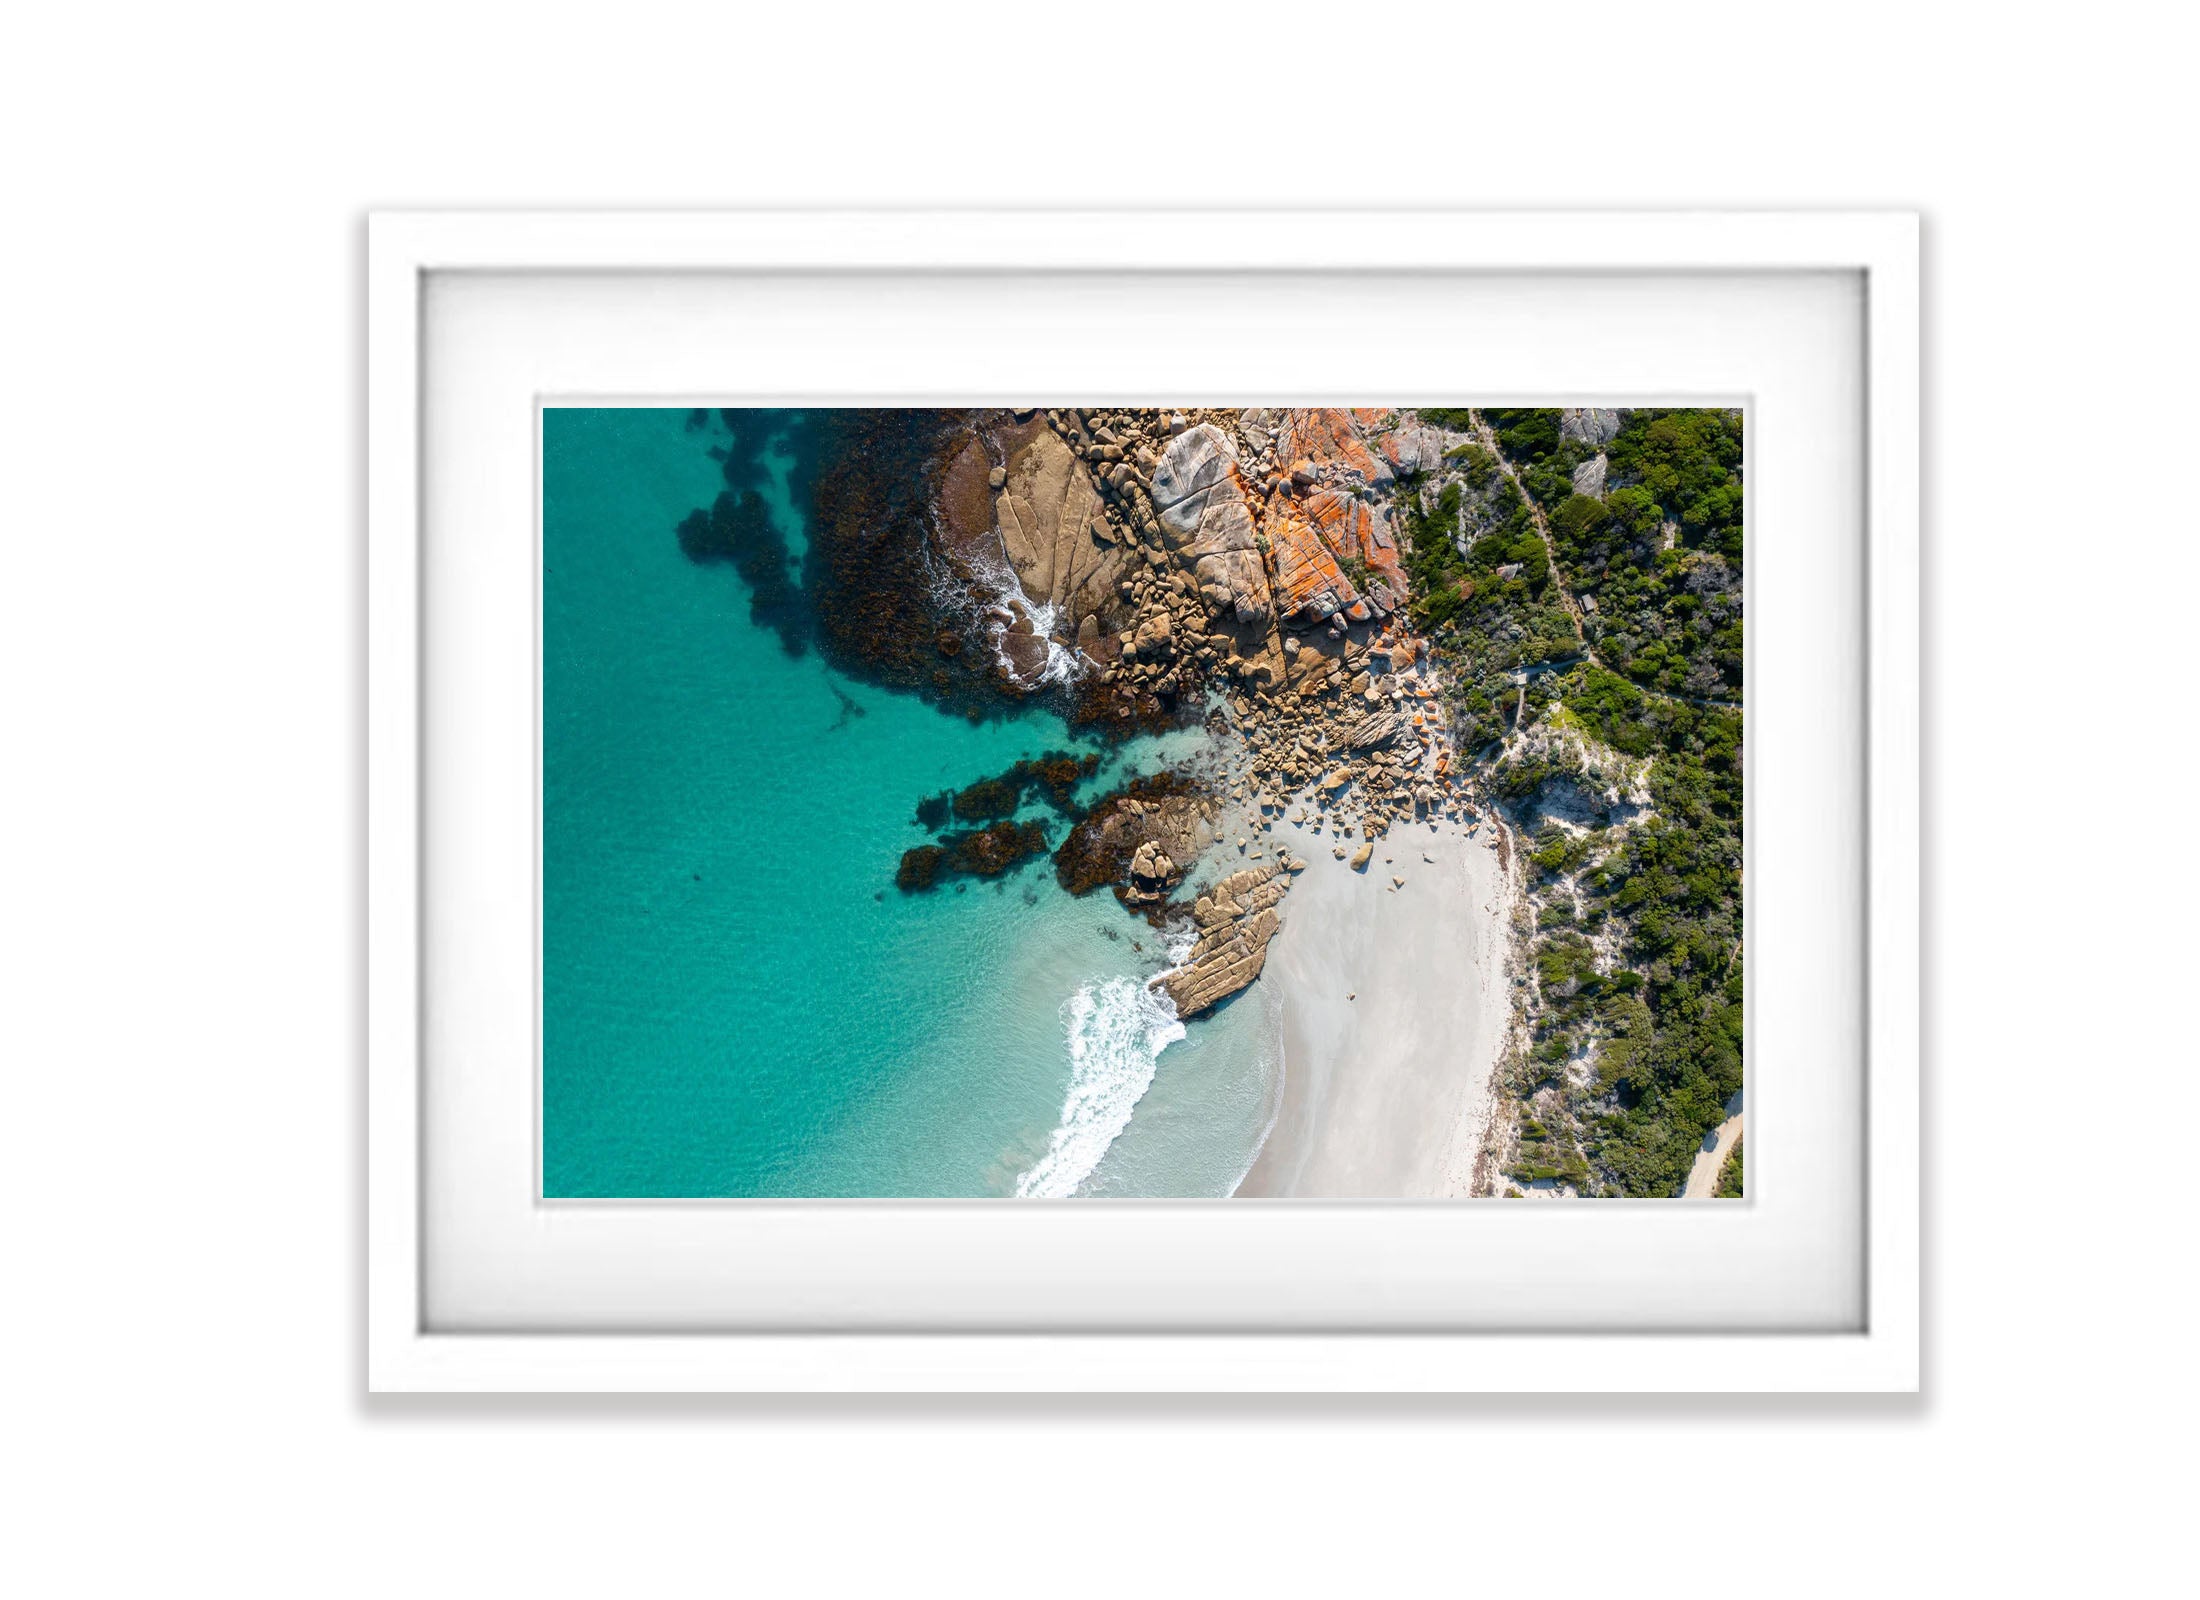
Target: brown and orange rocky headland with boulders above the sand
(1152,569)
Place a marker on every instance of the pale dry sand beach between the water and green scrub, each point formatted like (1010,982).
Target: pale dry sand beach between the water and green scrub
(1394,1016)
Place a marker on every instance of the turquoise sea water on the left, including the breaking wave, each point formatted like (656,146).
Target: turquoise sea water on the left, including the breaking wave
(736,996)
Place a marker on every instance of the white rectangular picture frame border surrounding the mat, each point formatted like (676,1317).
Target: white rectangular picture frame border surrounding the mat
(602,1352)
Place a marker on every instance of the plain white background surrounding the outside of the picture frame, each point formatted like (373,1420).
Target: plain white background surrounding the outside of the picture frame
(181,677)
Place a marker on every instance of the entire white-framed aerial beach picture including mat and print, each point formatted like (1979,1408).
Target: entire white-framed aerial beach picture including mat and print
(1143,802)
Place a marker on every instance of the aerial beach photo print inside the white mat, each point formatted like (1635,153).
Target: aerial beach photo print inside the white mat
(1143,802)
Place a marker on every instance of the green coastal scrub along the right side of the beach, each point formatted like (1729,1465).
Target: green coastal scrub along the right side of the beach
(1616,749)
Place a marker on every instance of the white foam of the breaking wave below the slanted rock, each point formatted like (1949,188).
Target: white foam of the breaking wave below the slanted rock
(1119,1031)
